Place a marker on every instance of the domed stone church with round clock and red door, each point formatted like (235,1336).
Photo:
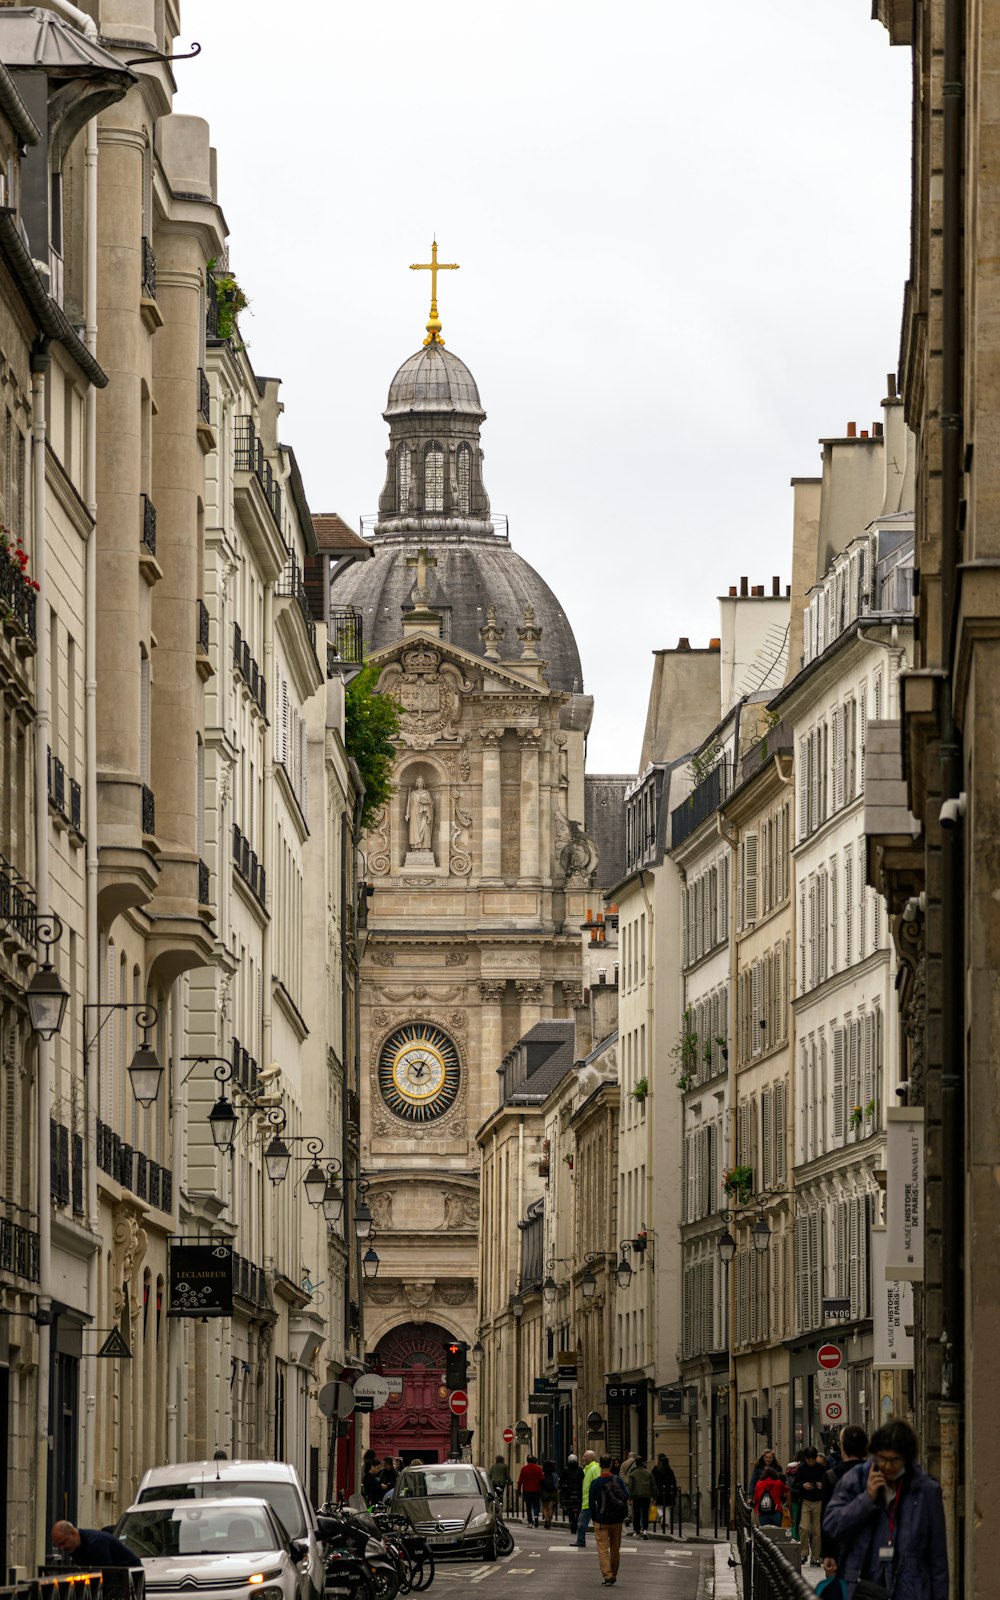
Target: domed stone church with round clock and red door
(481,865)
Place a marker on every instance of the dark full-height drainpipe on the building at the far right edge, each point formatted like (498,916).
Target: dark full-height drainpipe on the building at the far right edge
(953,863)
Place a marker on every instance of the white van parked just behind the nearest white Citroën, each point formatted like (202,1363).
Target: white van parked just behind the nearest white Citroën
(276,1482)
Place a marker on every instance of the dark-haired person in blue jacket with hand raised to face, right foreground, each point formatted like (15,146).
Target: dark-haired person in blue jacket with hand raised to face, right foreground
(889,1521)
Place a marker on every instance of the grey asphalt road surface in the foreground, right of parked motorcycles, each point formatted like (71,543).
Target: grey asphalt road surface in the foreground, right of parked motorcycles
(545,1564)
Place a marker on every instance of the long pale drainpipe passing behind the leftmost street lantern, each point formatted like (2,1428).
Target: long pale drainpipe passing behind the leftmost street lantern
(41,364)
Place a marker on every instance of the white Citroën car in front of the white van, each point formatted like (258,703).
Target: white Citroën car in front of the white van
(233,1550)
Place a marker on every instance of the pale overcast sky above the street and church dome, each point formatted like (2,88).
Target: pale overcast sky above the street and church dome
(682,233)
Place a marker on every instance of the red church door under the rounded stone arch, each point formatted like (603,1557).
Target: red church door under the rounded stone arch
(415,1423)
